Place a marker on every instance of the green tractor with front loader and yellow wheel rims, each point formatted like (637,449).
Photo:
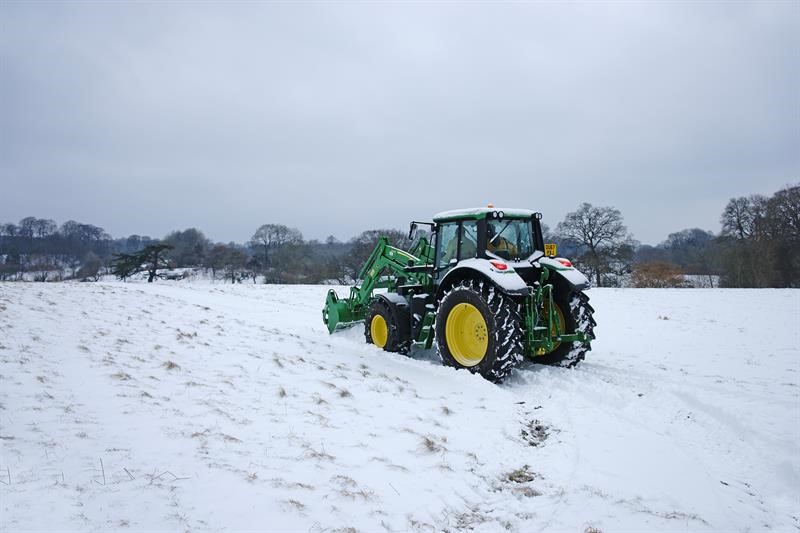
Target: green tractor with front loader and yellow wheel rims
(484,288)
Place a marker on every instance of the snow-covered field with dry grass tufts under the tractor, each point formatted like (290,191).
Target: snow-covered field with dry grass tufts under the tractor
(199,406)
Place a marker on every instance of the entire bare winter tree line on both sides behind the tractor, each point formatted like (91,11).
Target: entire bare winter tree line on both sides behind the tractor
(758,245)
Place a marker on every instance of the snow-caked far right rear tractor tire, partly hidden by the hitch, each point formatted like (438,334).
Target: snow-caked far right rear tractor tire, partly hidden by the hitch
(576,314)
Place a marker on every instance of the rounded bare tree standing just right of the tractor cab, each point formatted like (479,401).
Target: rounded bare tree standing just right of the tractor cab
(604,244)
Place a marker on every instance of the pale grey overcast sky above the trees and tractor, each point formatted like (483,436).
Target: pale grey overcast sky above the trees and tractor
(337,117)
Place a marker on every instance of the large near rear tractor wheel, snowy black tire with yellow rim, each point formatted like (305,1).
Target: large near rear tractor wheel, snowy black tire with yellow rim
(479,328)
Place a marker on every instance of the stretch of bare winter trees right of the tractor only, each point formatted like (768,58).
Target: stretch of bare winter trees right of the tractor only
(758,246)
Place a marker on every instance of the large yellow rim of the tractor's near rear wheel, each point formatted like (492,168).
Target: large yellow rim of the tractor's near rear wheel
(466,334)
